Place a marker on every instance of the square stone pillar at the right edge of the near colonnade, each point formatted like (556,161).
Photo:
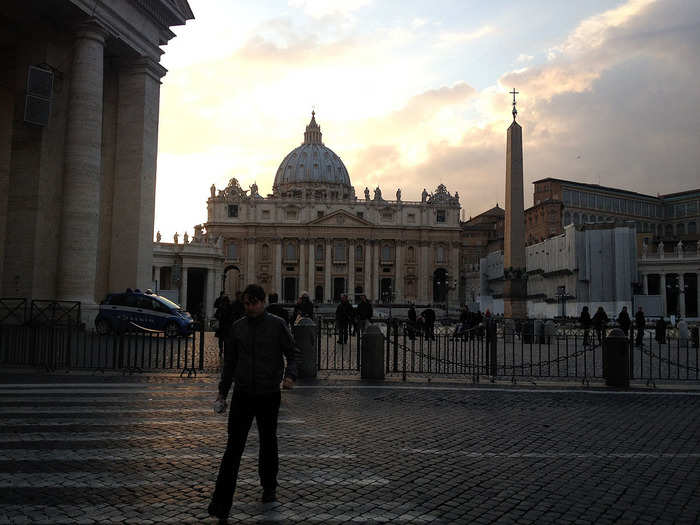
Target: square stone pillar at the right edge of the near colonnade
(131,252)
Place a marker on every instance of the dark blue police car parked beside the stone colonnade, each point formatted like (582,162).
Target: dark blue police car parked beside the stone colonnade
(136,310)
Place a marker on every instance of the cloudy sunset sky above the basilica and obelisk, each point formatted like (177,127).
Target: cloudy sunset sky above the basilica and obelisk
(411,94)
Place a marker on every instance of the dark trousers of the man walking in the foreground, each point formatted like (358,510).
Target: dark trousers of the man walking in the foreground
(244,407)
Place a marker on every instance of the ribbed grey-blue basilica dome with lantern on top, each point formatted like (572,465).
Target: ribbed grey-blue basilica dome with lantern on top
(312,165)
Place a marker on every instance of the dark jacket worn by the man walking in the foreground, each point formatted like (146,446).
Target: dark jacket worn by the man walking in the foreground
(253,355)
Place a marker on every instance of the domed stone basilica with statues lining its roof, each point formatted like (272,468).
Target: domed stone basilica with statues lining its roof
(314,234)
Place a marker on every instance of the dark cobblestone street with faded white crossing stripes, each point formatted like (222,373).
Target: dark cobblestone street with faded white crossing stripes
(146,449)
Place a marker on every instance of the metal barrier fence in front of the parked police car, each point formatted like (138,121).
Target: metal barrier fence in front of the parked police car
(72,348)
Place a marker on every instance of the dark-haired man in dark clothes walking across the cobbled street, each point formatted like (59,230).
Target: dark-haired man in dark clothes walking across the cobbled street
(255,347)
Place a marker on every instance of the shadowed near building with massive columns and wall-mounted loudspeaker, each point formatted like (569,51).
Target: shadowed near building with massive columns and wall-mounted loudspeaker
(78,143)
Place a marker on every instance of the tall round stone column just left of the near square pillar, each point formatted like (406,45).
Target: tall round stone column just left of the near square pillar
(82,167)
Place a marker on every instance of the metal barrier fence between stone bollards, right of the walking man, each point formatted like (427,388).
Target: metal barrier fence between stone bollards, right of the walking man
(497,350)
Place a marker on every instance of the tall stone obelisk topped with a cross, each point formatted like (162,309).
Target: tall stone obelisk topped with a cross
(514,285)
